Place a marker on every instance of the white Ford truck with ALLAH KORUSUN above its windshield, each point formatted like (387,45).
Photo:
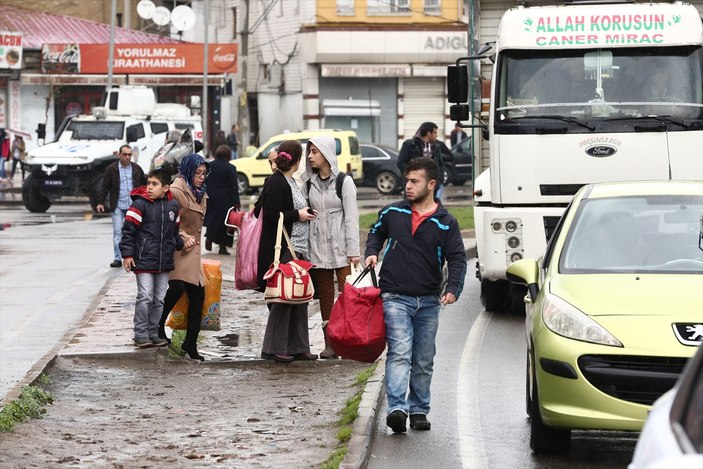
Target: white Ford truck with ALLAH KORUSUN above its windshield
(580,93)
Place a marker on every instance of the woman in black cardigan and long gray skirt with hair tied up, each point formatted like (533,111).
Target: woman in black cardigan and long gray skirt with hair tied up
(286,337)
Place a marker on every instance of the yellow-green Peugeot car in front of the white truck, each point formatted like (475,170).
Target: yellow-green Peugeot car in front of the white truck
(614,308)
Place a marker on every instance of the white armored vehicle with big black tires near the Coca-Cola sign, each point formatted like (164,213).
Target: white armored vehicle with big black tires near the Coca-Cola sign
(73,165)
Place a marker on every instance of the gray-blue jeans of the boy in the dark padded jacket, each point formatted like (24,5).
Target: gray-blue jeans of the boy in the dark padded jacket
(151,290)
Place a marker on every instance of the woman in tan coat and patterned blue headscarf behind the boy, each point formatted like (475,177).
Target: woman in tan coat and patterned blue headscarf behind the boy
(189,191)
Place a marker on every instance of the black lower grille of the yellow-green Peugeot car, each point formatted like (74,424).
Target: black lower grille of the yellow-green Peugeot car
(637,379)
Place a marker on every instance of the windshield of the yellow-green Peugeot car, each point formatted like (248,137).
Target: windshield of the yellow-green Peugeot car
(642,234)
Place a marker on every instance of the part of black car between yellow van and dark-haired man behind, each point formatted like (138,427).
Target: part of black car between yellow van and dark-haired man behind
(380,168)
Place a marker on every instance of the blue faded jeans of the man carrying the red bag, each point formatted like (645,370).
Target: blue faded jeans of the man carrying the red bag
(411,328)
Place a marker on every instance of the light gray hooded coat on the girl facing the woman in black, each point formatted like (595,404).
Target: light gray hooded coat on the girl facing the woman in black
(334,234)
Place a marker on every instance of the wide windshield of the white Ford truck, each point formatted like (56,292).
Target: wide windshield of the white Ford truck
(593,84)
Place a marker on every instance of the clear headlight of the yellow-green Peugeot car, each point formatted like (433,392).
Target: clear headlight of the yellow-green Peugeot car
(566,320)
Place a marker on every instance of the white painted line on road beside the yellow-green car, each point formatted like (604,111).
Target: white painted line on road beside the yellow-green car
(473,454)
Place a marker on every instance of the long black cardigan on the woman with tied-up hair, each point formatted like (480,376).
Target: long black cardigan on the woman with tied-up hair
(276,197)
